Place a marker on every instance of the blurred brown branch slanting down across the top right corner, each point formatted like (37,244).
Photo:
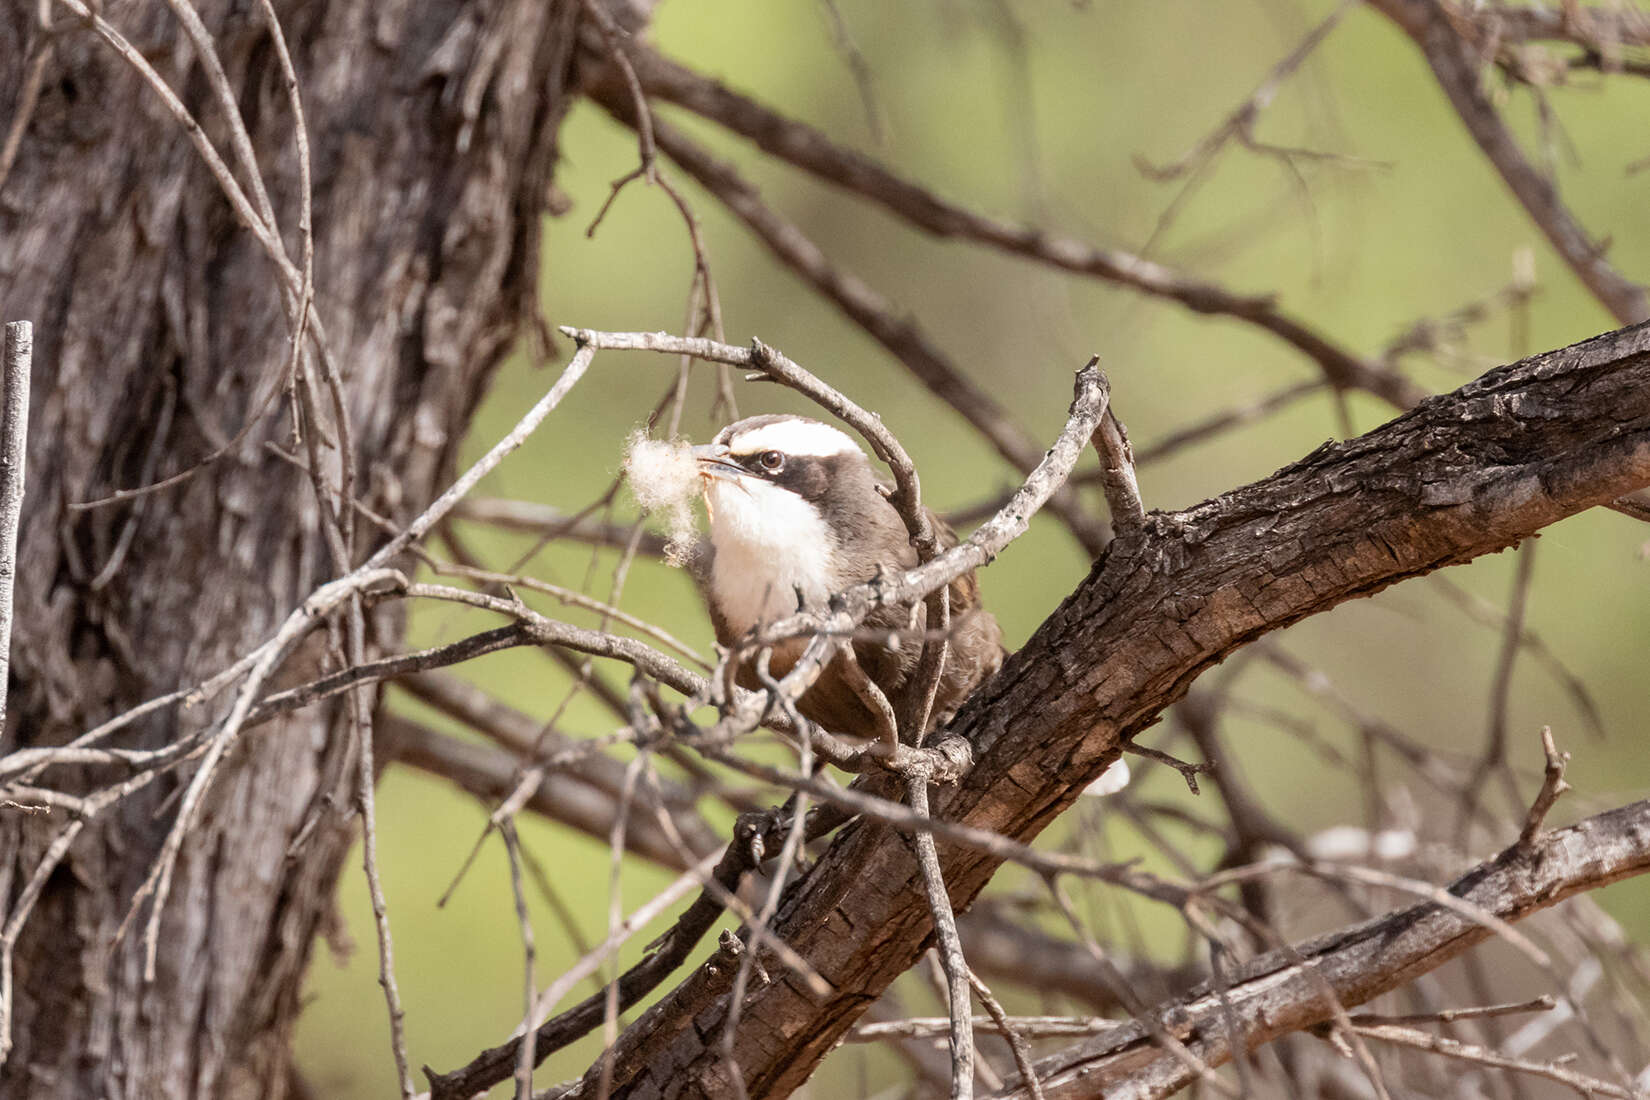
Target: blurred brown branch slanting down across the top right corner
(1456,65)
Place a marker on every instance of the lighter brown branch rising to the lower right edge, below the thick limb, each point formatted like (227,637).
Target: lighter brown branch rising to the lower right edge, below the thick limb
(1276,995)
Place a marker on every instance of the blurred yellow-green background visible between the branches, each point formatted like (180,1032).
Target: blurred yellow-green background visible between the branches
(1039,113)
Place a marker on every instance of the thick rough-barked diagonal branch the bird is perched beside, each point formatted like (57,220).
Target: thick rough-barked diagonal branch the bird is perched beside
(1461,476)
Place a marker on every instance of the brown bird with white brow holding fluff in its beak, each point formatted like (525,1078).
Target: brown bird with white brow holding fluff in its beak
(798,514)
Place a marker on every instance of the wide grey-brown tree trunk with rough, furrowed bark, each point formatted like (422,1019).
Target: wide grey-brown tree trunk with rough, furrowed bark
(158,321)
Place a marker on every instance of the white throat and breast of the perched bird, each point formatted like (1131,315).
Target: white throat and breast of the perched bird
(771,545)
